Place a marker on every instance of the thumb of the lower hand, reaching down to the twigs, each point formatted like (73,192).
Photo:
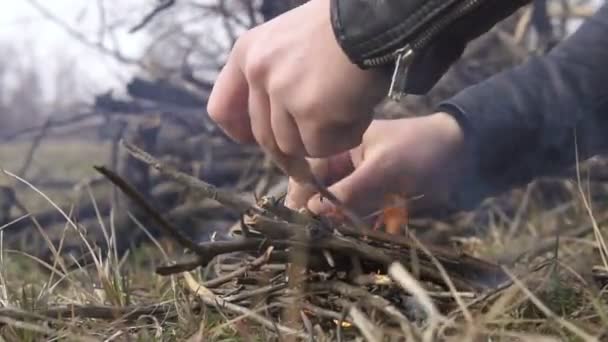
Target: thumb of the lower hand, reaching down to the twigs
(360,191)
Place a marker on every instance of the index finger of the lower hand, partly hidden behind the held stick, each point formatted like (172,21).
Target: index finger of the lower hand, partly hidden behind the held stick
(326,171)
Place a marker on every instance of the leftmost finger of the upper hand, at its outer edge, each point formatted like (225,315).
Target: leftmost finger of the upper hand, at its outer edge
(229,98)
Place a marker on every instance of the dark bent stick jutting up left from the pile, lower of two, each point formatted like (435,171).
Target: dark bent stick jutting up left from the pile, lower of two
(206,251)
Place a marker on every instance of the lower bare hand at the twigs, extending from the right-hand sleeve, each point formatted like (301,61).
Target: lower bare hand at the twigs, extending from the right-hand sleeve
(406,157)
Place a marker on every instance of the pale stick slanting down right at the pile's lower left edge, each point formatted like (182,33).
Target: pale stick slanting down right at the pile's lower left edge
(211,299)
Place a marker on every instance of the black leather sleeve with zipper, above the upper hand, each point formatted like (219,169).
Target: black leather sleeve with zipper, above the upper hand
(374,33)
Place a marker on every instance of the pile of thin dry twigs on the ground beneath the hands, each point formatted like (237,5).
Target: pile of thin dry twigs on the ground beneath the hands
(312,275)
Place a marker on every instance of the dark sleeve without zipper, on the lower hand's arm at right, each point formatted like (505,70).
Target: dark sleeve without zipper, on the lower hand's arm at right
(531,121)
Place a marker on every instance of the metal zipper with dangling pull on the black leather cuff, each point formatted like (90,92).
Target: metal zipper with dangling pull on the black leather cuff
(404,56)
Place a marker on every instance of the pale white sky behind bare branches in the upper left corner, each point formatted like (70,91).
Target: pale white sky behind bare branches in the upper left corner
(46,45)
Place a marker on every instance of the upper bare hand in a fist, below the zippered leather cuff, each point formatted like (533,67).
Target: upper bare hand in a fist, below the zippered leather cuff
(288,86)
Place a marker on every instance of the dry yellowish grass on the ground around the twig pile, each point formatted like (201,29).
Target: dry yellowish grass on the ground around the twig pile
(562,302)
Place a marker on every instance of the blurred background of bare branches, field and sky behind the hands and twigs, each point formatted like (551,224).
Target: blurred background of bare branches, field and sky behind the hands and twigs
(77,76)
